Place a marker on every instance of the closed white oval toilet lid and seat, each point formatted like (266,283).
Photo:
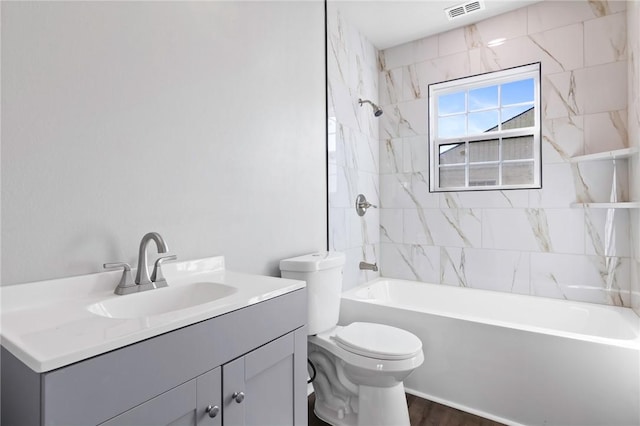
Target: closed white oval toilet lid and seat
(377,341)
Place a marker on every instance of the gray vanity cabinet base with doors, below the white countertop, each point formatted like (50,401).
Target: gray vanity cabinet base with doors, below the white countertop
(171,379)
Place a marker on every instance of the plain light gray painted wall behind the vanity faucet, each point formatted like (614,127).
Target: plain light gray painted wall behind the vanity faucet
(204,121)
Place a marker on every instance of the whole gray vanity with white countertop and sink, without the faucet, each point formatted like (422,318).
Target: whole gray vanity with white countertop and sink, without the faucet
(214,347)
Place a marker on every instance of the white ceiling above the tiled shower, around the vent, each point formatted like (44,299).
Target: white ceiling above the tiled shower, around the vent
(388,23)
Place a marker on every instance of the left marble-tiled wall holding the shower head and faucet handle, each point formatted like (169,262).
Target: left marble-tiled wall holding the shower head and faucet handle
(353,146)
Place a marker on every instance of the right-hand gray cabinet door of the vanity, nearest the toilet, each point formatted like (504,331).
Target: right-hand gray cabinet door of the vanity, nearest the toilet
(258,389)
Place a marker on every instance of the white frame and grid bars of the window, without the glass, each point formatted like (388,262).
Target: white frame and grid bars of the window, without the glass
(474,82)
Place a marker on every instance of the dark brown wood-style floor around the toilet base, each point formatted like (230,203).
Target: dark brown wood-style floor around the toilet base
(425,413)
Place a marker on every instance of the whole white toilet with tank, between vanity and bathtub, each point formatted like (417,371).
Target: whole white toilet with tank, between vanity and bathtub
(357,369)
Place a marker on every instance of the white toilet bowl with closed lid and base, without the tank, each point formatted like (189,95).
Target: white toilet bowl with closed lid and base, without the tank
(359,376)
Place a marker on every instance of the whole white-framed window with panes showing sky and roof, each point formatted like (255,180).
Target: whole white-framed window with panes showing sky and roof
(484,131)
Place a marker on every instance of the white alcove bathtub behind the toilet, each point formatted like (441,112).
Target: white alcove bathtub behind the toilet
(519,360)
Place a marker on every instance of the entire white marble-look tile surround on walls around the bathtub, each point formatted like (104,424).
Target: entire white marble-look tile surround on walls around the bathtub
(521,241)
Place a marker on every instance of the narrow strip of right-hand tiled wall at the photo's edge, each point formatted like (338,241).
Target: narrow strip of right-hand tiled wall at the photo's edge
(633,30)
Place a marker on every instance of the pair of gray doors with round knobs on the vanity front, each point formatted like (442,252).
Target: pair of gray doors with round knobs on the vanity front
(256,390)
